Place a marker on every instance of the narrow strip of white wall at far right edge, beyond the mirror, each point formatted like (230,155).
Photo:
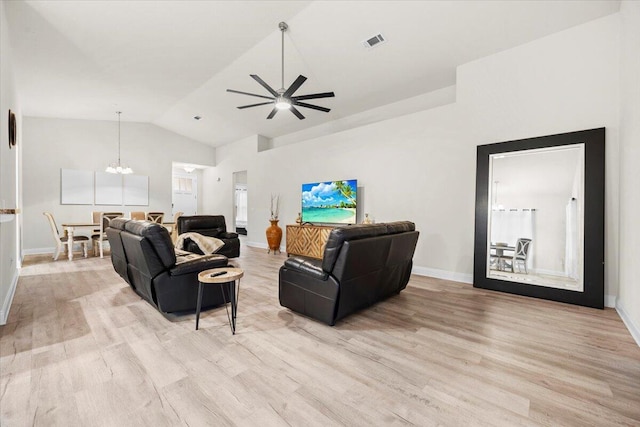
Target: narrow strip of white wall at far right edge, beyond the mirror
(629,294)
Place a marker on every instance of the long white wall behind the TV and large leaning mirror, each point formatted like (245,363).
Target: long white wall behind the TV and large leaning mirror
(421,166)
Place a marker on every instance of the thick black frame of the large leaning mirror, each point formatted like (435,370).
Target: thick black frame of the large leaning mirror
(593,273)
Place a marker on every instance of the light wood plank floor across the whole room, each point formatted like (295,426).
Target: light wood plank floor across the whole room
(81,349)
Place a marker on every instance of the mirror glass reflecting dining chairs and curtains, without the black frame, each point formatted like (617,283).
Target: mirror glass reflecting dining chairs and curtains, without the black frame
(535,217)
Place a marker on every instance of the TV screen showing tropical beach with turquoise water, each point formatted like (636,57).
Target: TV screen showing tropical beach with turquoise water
(331,202)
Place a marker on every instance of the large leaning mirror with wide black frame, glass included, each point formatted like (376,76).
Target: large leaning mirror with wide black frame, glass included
(540,217)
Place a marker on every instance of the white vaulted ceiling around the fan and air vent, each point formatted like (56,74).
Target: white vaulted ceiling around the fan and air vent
(165,62)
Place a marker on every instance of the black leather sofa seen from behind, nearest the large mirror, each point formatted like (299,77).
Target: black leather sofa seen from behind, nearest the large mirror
(362,265)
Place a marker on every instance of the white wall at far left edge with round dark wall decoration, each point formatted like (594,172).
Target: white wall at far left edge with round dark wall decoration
(9,159)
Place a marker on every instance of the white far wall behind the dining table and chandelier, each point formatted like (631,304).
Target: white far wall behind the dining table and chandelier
(52,144)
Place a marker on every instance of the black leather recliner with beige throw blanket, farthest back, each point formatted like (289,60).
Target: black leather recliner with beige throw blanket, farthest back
(212,226)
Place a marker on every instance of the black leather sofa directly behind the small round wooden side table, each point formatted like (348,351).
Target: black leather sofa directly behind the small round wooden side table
(142,253)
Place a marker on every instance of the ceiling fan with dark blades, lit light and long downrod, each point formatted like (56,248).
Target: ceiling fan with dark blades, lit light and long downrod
(282,98)
